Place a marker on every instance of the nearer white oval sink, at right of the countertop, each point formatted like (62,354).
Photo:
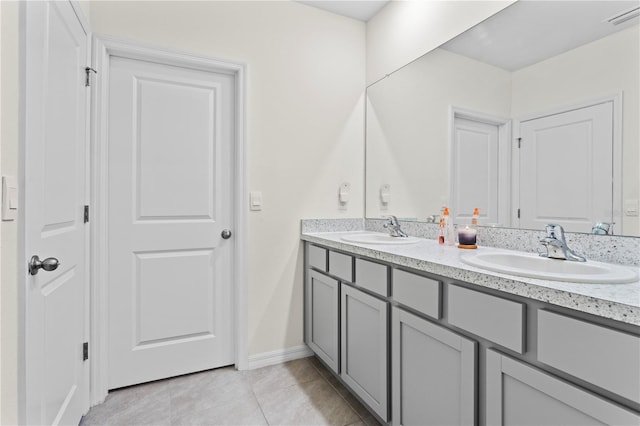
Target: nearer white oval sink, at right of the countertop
(534,266)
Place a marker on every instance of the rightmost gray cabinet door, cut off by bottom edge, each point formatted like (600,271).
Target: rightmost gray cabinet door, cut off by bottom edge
(518,394)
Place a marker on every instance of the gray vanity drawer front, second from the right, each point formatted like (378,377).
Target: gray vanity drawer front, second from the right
(500,320)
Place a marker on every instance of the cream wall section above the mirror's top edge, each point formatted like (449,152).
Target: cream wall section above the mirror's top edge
(405,30)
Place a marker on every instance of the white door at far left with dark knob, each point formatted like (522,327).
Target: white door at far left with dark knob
(55,140)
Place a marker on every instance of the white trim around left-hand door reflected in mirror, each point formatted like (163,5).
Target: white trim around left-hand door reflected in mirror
(504,155)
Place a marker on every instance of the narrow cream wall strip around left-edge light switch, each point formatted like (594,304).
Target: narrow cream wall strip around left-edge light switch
(9,230)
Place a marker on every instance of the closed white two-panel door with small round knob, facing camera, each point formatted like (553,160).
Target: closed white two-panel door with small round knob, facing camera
(170,167)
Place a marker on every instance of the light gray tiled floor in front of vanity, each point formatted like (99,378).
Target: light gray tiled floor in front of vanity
(300,392)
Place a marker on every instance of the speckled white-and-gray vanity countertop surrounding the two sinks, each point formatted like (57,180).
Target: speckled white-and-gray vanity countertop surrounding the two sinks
(620,302)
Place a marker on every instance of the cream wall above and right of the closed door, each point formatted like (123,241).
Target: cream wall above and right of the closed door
(305,120)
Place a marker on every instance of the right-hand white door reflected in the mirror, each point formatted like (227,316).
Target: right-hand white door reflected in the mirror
(566,165)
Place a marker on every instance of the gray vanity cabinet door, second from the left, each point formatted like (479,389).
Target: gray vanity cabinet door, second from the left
(364,347)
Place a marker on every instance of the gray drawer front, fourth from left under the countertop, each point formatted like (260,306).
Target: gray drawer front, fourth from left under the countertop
(417,292)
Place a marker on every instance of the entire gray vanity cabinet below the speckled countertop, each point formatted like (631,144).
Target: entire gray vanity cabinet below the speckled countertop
(418,350)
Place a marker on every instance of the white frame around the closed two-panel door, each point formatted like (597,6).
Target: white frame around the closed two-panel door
(104,47)
